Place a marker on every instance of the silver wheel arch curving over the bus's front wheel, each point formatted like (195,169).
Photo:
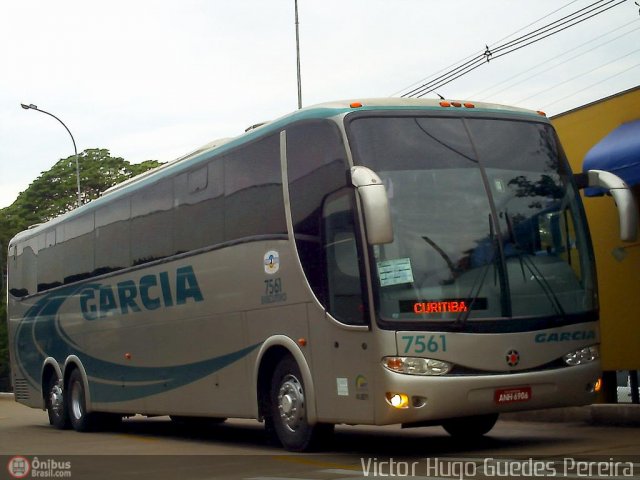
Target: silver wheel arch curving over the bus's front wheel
(271,352)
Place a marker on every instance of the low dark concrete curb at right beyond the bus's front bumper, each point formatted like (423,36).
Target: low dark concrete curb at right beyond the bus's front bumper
(620,415)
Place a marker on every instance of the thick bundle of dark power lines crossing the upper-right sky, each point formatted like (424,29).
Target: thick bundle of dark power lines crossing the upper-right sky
(535,36)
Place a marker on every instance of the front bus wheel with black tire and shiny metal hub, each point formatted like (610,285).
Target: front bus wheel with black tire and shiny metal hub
(288,409)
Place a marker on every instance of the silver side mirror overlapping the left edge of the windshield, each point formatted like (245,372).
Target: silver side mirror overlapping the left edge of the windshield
(375,205)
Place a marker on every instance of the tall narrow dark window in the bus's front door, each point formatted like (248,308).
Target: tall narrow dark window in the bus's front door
(344,286)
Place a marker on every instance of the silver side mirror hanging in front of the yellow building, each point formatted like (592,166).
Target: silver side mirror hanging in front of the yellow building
(623,196)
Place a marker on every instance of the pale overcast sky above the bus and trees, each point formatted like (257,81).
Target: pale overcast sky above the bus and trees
(157,79)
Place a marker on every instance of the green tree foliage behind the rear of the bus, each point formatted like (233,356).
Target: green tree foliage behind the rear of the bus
(53,193)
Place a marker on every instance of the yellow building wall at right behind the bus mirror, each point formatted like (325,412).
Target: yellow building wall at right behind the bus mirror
(618,264)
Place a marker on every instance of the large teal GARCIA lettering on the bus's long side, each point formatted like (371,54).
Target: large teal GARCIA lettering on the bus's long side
(150,293)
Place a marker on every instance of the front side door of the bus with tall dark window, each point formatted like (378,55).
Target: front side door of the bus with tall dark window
(345,351)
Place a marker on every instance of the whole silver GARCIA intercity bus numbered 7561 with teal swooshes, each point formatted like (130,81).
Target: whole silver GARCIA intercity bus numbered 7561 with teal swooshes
(392,261)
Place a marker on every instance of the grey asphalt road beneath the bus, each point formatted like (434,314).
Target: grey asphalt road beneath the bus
(239,449)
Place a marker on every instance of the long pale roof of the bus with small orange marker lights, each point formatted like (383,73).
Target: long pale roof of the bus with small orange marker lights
(323,110)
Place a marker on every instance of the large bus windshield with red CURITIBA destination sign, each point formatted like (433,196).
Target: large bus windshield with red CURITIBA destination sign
(487,222)
